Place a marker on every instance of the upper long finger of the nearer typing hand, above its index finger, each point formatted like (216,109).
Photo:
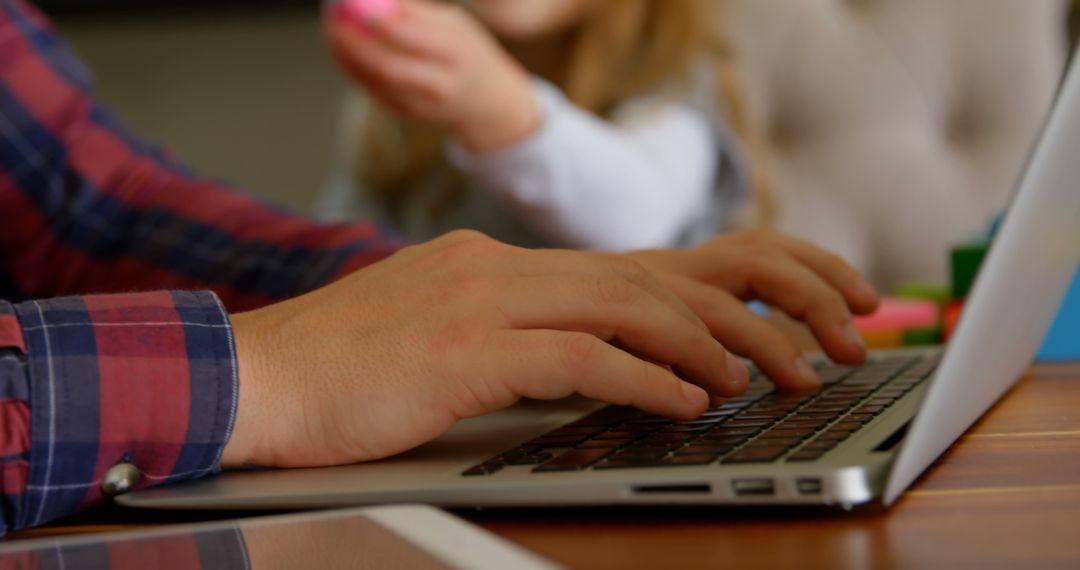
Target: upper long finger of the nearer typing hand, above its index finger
(614,309)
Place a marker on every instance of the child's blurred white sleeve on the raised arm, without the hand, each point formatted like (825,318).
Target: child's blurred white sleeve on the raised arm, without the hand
(587,183)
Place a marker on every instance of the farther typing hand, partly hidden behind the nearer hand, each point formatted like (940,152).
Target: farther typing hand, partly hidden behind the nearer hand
(807,283)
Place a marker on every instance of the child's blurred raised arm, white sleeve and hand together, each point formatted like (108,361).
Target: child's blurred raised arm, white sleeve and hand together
(643,182)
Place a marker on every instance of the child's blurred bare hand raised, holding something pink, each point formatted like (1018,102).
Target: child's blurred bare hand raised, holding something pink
(433,62)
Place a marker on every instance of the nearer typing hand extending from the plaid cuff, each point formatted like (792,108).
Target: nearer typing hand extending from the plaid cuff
(395,355)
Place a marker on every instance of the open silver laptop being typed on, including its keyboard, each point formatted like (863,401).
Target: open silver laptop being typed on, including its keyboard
(863,439)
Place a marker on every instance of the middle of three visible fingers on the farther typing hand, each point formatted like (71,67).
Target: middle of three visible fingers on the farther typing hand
(804,295)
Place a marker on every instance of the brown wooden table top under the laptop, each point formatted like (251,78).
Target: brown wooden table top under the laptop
(1006,496)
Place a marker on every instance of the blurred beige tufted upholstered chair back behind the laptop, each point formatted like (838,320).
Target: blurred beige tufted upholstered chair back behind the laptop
(896,128)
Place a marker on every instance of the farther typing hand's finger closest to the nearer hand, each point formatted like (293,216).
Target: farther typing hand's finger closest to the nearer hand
(748,335)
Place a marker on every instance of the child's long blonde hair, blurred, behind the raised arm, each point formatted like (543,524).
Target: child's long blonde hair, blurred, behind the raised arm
(625,50)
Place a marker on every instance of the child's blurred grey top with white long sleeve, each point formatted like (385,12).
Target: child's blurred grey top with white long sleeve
(661,173)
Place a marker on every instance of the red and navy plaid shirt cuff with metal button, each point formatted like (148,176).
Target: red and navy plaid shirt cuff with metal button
(148,379)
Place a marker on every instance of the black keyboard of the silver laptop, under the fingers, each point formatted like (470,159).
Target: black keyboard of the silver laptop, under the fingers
(761,426)
